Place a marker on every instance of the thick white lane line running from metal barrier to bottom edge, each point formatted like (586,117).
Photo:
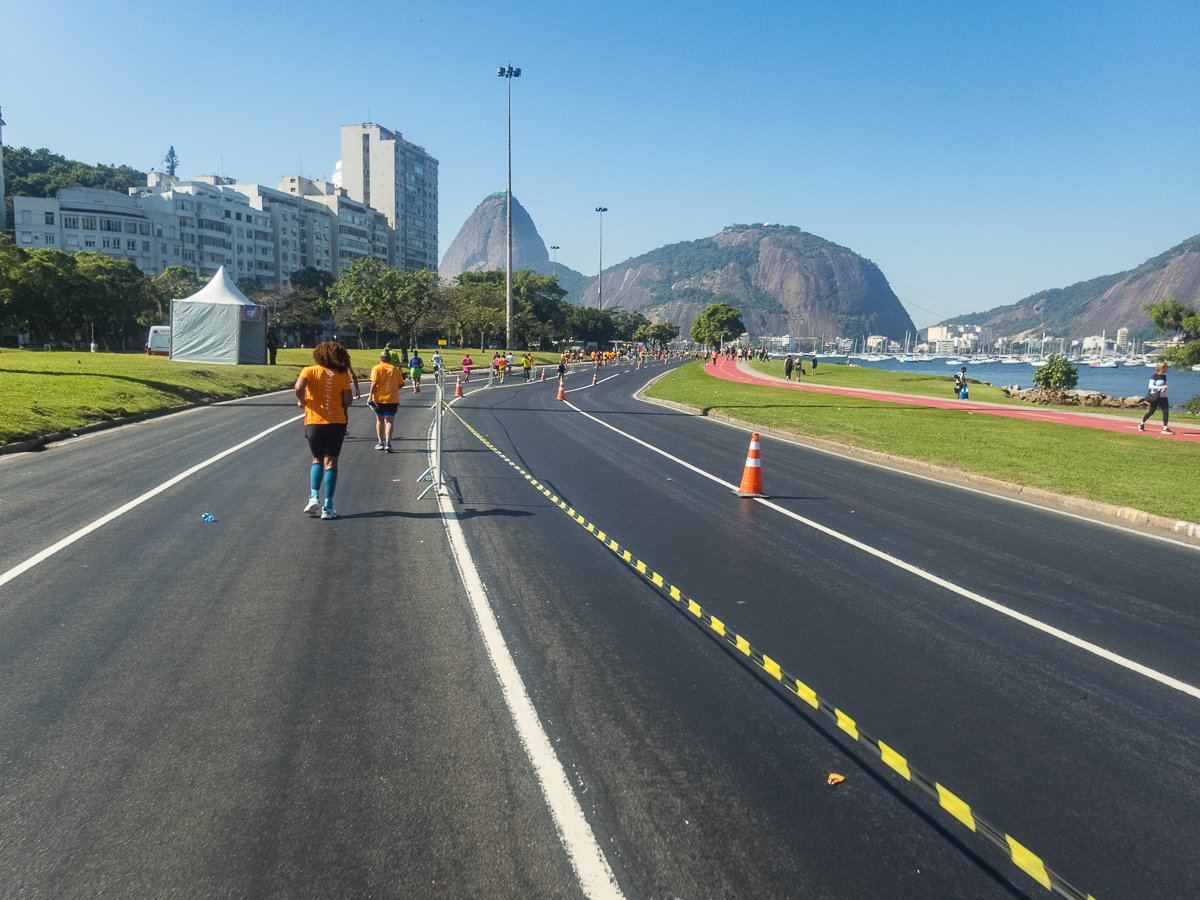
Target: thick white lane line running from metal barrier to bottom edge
(591,867)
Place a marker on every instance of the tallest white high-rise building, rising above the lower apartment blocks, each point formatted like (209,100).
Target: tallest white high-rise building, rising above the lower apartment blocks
(381,170)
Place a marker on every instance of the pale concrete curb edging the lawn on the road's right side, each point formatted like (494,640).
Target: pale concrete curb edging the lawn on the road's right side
(903,464)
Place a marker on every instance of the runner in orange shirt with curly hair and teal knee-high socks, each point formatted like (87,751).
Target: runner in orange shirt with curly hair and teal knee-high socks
(325,393)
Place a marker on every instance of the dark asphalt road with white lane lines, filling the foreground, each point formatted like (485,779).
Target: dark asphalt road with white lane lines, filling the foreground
(277,706)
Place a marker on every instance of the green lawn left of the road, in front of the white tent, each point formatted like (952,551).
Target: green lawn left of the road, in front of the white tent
(47,393)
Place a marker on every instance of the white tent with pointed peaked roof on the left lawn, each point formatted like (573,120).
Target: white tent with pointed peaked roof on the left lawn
(218,325)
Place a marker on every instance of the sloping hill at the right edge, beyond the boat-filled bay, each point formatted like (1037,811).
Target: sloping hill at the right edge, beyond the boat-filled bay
(1103,304)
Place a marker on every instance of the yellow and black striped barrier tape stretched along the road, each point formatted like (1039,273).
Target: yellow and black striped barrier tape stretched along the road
(1022,856)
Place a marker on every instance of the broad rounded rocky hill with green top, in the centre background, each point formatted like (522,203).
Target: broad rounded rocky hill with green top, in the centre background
(784,280)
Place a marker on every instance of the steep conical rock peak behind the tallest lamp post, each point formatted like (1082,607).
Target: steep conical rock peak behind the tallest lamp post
(482,245)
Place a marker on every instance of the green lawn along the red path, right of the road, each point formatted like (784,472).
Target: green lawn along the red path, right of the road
(1139,471)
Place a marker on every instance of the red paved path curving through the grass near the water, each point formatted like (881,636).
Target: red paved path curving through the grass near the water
(742,374)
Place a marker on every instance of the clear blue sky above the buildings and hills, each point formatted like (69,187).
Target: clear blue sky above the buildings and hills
(976,154)
